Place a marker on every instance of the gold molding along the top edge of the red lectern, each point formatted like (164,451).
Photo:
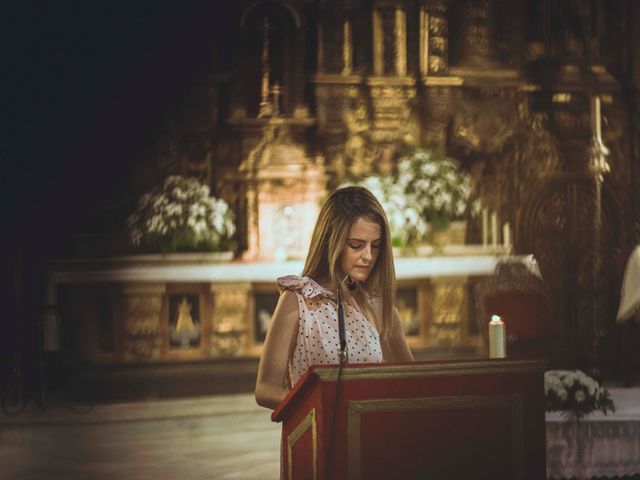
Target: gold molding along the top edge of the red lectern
(429,370)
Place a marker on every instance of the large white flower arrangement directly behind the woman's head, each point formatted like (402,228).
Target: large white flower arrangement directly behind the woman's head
(428,191)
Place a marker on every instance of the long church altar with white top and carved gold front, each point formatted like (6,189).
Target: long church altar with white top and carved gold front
(184,307)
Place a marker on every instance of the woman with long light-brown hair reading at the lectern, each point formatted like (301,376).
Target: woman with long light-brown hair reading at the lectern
(351,245)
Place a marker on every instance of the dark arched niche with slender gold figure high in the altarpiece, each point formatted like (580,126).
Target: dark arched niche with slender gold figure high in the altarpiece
(267,64)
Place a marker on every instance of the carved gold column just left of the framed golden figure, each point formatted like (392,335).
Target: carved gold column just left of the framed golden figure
(143,308)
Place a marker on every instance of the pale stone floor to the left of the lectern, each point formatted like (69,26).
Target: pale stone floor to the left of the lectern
(219,437)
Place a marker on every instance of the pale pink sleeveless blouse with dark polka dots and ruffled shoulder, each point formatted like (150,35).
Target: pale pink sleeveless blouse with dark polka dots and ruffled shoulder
(317,341)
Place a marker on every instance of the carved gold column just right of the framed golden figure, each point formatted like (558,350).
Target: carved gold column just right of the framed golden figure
(230,321)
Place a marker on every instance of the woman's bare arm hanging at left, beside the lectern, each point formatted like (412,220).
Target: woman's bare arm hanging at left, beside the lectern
(281,337)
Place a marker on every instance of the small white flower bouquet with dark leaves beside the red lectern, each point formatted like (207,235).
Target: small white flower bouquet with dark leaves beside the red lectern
(575,393)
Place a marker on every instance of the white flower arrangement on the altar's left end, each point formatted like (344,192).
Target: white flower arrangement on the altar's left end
(180,215)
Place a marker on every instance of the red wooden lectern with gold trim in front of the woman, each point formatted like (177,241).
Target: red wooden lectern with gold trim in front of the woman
(471,419)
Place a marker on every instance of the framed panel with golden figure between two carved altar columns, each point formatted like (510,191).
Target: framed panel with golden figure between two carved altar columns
(184,321)
